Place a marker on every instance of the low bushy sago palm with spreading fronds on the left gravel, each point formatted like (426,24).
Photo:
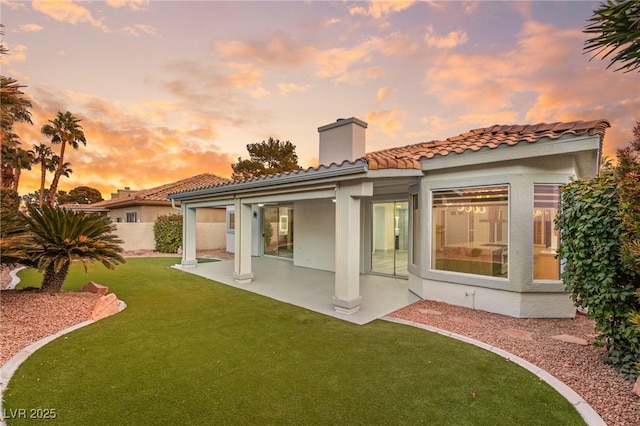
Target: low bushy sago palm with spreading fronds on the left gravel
(56,237)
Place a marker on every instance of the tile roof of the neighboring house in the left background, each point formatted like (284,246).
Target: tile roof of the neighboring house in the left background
(160,193)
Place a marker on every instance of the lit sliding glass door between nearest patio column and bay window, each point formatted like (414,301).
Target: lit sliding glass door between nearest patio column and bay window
(390,238)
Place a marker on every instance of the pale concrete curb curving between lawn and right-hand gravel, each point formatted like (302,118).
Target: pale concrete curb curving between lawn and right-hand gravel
(590,416)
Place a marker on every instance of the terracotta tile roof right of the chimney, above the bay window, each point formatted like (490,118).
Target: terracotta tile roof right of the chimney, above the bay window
(408,157)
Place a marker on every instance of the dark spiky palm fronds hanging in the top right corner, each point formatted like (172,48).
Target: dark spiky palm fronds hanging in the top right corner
(616,24)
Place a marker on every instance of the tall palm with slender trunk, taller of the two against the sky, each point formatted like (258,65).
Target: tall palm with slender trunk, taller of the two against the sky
(63,130)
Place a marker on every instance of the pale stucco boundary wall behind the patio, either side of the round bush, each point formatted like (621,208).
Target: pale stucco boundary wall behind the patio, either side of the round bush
(139,236)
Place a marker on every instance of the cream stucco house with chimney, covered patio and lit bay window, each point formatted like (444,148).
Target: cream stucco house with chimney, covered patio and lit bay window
(467,220)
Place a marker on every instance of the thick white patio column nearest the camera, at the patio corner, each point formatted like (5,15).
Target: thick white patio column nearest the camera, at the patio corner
(347,278)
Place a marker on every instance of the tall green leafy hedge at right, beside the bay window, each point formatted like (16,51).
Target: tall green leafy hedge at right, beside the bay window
(591,225)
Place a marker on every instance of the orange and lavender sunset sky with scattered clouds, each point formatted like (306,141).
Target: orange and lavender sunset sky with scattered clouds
(171,89)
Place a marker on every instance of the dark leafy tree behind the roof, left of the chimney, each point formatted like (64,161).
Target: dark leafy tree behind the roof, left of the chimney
(266,158)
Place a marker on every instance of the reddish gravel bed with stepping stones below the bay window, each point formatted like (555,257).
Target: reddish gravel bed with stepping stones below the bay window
(577,366)
